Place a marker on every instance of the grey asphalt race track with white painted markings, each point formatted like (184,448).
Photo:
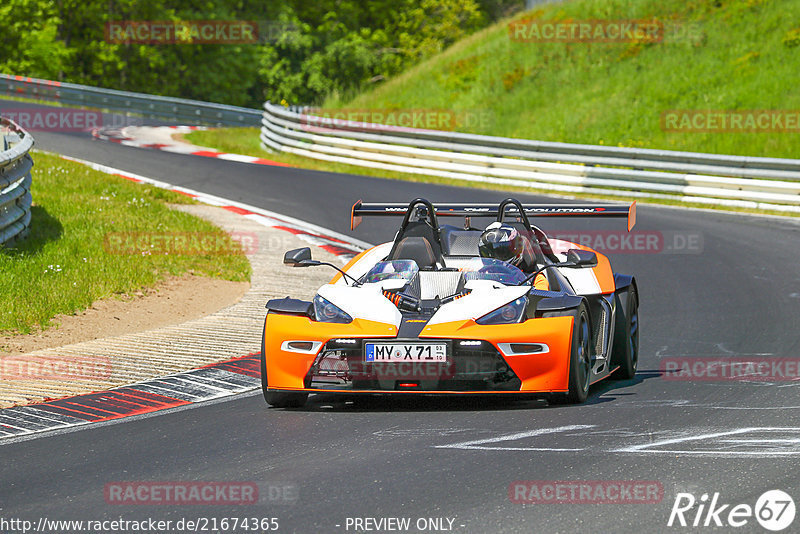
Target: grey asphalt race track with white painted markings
(737,297)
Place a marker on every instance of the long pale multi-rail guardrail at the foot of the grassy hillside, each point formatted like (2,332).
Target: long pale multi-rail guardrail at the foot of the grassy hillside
(750,182)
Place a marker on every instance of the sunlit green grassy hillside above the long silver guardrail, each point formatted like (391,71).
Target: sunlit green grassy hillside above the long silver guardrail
(715,55)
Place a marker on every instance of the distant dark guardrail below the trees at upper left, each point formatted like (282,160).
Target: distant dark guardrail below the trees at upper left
(171,110)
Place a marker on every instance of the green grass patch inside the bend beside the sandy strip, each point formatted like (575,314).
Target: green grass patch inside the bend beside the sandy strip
(66,262)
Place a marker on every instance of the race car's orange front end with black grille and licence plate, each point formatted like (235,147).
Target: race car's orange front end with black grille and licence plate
(302,354)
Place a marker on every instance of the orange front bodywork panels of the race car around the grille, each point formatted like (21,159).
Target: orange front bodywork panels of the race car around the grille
(539,373)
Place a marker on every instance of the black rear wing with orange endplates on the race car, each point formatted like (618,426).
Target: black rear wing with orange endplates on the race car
(371,209)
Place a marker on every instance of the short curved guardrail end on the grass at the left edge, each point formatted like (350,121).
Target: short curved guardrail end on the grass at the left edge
(15,182)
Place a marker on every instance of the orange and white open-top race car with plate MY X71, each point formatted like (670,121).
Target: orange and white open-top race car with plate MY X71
(457,310)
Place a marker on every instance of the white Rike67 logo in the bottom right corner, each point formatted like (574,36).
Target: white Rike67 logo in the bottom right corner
(774,510)
